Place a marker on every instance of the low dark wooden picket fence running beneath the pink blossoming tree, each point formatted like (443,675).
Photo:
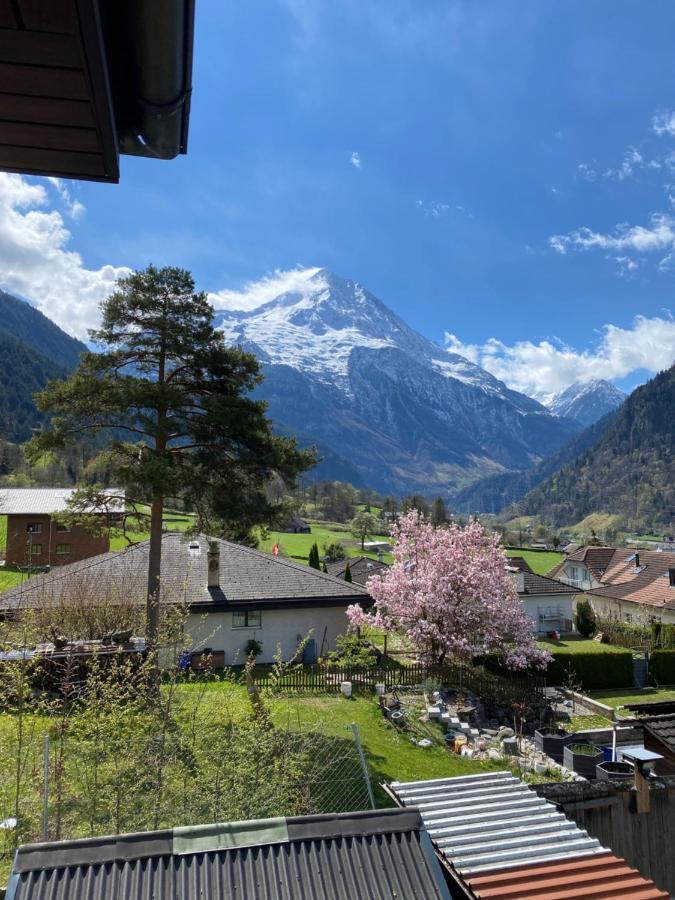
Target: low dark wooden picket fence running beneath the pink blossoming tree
(489,687)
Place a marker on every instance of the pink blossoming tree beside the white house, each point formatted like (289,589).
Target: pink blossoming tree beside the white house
(449,592)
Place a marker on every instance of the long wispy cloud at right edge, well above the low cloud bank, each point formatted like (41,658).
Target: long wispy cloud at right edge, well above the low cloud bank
(658,236)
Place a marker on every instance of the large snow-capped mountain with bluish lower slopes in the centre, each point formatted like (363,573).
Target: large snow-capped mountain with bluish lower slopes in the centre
(385,406)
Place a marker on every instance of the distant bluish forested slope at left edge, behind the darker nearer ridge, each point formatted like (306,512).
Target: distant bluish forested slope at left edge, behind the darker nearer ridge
(20,320)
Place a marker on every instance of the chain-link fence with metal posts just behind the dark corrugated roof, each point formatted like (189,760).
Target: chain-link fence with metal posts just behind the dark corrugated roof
(81,785)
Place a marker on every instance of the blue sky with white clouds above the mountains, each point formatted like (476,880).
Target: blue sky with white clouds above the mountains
(501,174)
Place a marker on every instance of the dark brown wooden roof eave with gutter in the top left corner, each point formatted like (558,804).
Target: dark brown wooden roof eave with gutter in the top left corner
(83,82)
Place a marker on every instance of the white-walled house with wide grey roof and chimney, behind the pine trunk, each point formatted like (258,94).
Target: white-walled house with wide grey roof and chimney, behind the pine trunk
(232,594)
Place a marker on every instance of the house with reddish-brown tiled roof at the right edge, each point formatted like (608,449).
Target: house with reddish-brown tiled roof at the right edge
(634,586)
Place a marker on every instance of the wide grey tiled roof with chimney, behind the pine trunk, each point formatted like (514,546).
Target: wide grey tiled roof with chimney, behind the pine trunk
(246,576)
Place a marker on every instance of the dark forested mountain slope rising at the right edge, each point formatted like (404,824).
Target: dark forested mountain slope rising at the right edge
(630,472)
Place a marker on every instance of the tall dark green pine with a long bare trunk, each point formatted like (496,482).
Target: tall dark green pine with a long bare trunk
(174,402)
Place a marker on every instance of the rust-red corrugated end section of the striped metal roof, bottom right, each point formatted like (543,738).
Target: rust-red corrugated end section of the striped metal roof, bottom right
(601,876)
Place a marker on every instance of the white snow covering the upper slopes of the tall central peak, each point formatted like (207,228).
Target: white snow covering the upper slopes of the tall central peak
(315,326)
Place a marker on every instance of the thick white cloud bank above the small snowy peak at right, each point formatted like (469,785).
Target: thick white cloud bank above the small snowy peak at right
(543,368)
